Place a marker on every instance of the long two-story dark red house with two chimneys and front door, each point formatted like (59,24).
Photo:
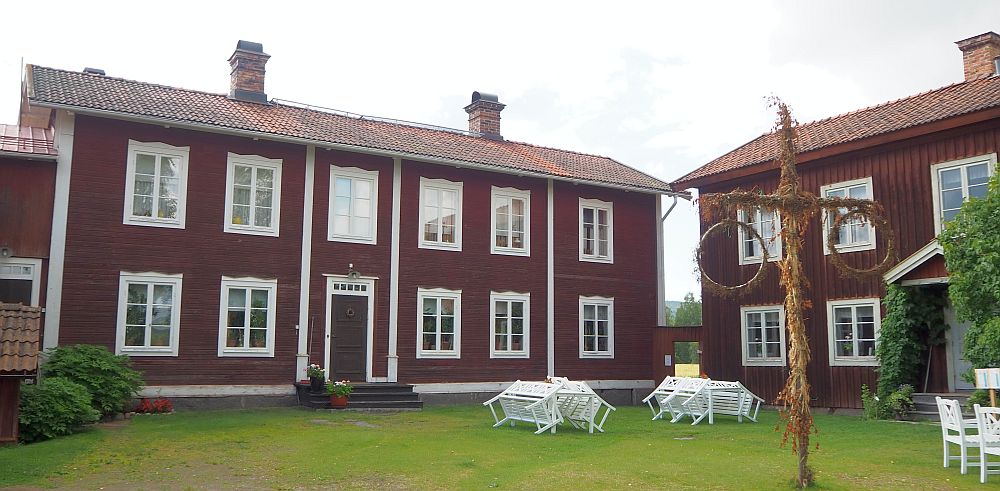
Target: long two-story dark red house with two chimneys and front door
(224,241)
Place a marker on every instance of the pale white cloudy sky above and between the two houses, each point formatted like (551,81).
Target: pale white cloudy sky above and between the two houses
(662,86)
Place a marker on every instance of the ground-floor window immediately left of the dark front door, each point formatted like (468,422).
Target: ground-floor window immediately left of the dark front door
(246,320)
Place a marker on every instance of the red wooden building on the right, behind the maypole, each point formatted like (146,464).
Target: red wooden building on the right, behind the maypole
(920,157)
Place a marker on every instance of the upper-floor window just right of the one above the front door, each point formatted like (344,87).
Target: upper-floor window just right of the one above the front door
(440,214)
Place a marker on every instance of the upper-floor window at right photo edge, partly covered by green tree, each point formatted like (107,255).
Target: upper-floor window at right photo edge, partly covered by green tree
(958,181)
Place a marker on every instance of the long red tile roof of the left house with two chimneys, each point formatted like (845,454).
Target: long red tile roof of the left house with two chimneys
(59,88)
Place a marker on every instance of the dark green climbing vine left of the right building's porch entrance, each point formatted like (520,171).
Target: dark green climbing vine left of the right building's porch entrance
(913,320)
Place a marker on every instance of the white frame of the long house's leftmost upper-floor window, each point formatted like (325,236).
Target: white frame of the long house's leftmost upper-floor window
(158,149)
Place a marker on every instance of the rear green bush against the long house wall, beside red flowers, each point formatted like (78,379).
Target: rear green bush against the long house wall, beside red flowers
(110,379)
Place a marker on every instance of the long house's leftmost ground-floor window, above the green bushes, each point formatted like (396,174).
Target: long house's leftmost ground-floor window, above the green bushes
(149,312)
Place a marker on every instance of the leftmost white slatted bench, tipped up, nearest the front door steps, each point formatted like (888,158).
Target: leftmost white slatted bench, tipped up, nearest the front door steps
(530,402)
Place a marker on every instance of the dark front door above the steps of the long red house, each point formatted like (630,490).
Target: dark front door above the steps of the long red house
(348,337)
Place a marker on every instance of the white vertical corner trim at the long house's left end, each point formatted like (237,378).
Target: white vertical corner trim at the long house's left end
(64,130)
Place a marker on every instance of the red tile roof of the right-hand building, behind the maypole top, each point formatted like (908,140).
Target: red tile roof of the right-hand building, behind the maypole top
(946,102)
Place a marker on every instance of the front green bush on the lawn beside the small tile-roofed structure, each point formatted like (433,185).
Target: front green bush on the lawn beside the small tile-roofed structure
(56,407)
